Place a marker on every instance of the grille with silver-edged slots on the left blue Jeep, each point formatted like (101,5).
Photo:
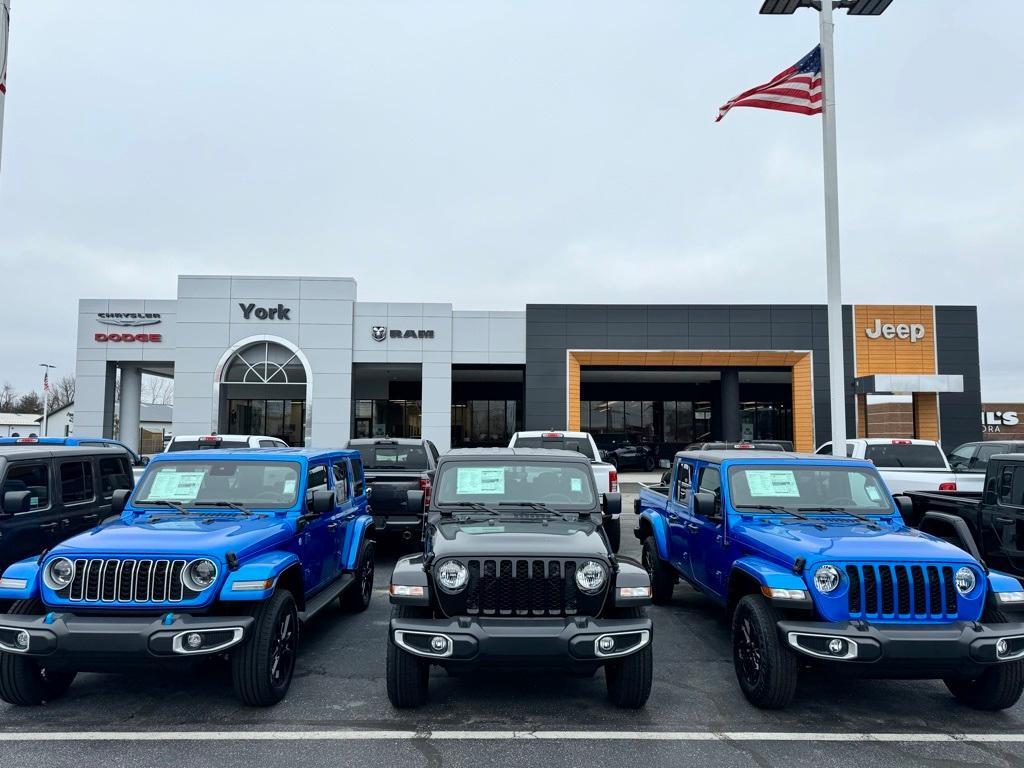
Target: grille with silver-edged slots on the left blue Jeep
(109,581)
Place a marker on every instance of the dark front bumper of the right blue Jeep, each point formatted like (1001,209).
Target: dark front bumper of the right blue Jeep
(961,647)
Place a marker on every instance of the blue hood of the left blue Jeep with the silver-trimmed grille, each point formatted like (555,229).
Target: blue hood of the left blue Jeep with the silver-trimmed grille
(179,536)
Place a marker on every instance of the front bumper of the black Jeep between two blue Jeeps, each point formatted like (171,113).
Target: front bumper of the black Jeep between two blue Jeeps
(529,642)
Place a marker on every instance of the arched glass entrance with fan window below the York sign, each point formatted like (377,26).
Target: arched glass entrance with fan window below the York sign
(265,391)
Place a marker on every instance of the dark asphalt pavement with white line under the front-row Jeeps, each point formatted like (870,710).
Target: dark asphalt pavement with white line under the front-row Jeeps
(337,712)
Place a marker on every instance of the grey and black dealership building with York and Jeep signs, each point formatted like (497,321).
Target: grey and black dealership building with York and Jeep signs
(304,360)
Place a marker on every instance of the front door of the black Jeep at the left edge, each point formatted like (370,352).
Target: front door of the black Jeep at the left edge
(27,534)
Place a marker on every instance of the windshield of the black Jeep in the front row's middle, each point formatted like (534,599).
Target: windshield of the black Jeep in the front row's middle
(511,483)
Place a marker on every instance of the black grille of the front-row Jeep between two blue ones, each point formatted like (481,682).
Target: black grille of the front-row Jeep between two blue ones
(521,587)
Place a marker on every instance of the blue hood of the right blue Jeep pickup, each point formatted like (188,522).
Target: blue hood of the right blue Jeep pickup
(846,541)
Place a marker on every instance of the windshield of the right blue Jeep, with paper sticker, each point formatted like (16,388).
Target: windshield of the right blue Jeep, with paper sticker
(809,489)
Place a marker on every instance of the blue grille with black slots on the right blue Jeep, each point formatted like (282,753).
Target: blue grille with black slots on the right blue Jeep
(895,591)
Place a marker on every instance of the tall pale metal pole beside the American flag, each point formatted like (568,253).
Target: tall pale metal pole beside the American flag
(837,374)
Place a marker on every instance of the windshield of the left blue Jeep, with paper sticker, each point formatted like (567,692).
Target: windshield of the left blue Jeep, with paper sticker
(257,485)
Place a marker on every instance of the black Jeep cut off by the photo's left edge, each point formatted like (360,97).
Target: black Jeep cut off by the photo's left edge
(52,493)
